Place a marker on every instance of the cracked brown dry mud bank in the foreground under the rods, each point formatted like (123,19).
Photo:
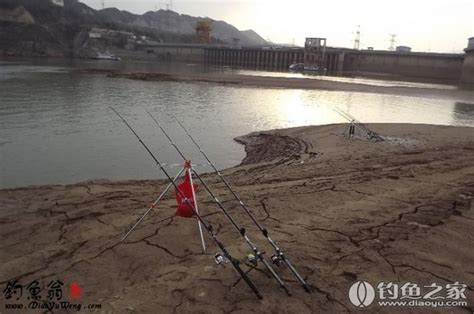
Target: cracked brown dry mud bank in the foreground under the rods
(399,210)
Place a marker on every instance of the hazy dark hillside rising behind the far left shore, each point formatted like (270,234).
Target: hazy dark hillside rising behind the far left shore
(39,27)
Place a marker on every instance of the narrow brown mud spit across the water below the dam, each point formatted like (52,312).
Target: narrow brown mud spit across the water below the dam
(289,82)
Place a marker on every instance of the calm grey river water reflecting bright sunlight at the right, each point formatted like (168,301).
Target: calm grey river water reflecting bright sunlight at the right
(56,126)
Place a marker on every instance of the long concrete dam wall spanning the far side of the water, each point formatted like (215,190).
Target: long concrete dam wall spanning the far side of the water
(448,68)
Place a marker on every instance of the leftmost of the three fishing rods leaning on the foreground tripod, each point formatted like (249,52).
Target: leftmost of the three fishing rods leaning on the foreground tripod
(235,263)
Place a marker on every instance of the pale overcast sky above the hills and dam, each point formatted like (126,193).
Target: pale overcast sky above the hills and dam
(425,25)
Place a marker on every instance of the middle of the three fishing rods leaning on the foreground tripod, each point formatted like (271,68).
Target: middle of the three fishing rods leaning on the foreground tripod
(257,253)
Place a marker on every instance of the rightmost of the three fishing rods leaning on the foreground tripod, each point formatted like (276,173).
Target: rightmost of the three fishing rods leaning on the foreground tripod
(279,255)
